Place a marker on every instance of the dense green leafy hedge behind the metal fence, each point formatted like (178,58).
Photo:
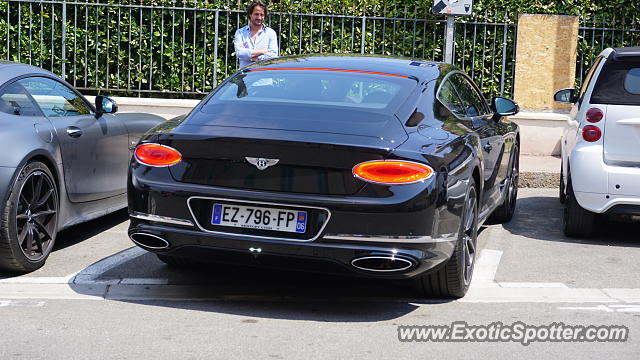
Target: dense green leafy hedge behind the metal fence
(172,54)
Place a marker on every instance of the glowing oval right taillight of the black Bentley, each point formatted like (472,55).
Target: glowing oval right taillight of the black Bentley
(392,172)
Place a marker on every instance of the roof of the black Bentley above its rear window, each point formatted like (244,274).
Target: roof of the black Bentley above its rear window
(415,68)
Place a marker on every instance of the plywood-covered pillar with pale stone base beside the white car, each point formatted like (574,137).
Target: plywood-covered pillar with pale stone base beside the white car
(545,63)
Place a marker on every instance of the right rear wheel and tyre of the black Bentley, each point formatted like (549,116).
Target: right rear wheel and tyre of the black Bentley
(454,278)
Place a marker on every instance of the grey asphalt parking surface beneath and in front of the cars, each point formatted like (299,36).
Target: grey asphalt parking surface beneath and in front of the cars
(99,297)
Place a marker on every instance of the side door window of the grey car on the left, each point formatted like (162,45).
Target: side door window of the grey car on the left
(54,98)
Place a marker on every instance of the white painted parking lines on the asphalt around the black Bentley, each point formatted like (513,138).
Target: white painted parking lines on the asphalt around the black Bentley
(87,284)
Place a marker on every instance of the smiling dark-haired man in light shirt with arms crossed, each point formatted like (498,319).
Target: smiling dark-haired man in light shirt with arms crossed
(256,41)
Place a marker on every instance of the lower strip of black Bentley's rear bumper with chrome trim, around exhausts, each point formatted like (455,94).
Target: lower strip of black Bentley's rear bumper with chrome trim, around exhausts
(331,254)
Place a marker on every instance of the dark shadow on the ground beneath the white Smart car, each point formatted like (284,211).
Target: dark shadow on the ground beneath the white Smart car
(540,218)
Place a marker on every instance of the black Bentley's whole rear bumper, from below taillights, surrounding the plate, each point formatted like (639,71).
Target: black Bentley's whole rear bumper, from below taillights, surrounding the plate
(417,223)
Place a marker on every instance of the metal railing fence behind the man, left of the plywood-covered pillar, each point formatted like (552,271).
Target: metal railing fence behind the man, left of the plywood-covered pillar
(185,52)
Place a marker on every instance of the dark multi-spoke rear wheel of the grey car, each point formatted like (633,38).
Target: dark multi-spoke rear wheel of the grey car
(29,221)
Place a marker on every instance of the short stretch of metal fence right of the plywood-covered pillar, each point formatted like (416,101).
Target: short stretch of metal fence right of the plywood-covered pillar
(599,33)
